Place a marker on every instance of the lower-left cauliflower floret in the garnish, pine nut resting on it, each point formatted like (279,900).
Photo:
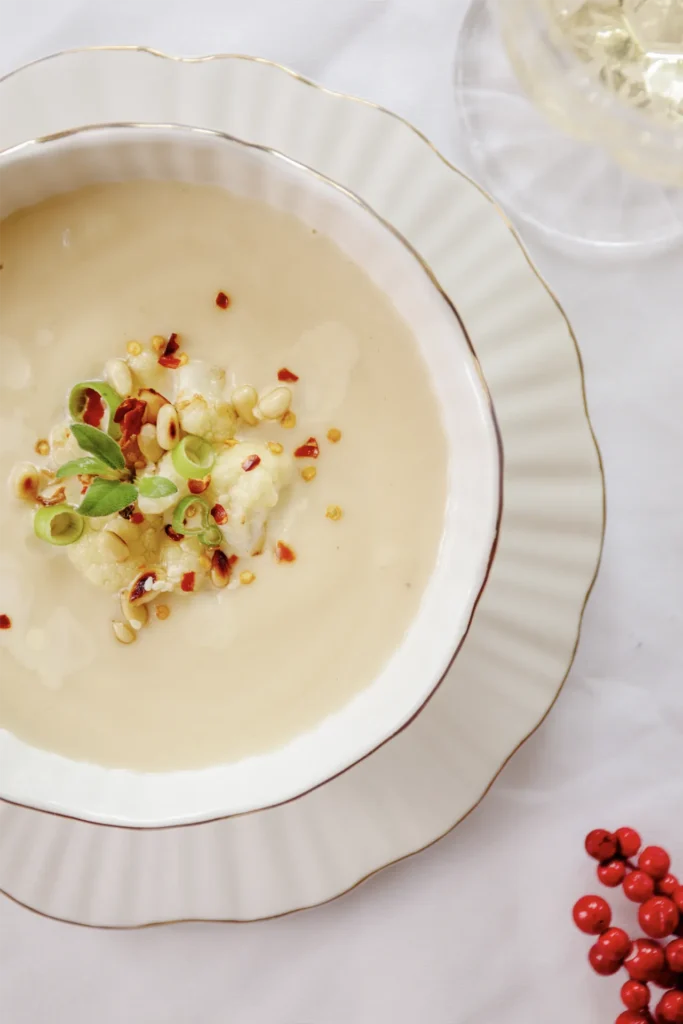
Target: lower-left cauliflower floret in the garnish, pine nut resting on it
(91,558)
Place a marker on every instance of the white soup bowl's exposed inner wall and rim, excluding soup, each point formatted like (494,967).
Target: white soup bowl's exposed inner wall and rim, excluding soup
(28,776)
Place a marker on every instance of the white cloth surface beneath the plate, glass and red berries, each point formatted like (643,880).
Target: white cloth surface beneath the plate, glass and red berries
(479,928)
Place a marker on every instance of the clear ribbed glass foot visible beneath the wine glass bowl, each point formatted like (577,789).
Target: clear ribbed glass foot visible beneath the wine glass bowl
(574,193)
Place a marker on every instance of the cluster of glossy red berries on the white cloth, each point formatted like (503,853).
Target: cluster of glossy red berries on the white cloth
(661,898)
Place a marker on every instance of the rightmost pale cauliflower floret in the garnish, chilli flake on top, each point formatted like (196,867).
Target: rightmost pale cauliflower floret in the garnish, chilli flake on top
(249,497)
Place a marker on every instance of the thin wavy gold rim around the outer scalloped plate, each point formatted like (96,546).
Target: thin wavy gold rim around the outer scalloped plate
(506,221)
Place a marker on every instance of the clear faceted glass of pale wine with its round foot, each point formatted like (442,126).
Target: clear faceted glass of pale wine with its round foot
(574,114)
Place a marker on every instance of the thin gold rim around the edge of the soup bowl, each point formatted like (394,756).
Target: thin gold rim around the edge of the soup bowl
(486,396)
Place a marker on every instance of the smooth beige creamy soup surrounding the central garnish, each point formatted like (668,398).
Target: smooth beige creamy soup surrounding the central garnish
(238,671)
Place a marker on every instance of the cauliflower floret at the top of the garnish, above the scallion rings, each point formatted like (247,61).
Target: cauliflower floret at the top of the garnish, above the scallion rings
(201,404)
